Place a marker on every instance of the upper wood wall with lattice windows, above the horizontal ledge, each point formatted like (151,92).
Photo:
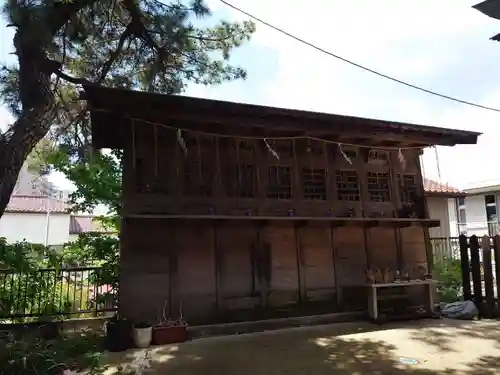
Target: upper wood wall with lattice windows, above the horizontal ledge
(232,176)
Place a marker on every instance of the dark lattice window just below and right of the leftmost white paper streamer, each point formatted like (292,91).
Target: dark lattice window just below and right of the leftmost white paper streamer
(198,179)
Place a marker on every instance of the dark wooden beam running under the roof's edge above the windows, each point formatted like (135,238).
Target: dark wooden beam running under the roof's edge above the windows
(335,131)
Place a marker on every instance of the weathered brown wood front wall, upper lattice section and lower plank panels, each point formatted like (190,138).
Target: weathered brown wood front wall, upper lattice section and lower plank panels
(213,270)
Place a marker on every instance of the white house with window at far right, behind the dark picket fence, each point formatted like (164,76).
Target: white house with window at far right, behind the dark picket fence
(480,209)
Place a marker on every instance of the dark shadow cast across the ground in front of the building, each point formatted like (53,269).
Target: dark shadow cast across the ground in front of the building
(313,350)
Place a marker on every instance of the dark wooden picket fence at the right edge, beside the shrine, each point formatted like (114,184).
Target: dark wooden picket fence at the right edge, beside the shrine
(480,276)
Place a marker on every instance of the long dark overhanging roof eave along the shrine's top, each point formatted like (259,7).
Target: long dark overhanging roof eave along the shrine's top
(105,115)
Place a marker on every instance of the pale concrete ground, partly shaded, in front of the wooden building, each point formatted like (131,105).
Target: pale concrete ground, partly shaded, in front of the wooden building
(447,347)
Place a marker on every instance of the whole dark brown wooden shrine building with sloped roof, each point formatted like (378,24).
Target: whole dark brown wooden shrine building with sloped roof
(238,212)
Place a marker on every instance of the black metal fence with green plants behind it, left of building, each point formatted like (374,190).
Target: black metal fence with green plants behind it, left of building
(54,293)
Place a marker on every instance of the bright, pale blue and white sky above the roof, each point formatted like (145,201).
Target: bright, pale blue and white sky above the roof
(441,45)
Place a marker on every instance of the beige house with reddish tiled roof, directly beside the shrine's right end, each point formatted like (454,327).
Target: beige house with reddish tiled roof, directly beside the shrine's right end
(442,202)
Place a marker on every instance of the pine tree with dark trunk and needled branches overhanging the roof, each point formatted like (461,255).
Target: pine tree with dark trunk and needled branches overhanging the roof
(136,44)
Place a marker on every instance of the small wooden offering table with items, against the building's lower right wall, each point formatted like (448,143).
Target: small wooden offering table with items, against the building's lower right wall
(393,300)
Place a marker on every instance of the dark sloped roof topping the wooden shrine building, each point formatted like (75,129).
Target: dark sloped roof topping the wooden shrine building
(113,108)
